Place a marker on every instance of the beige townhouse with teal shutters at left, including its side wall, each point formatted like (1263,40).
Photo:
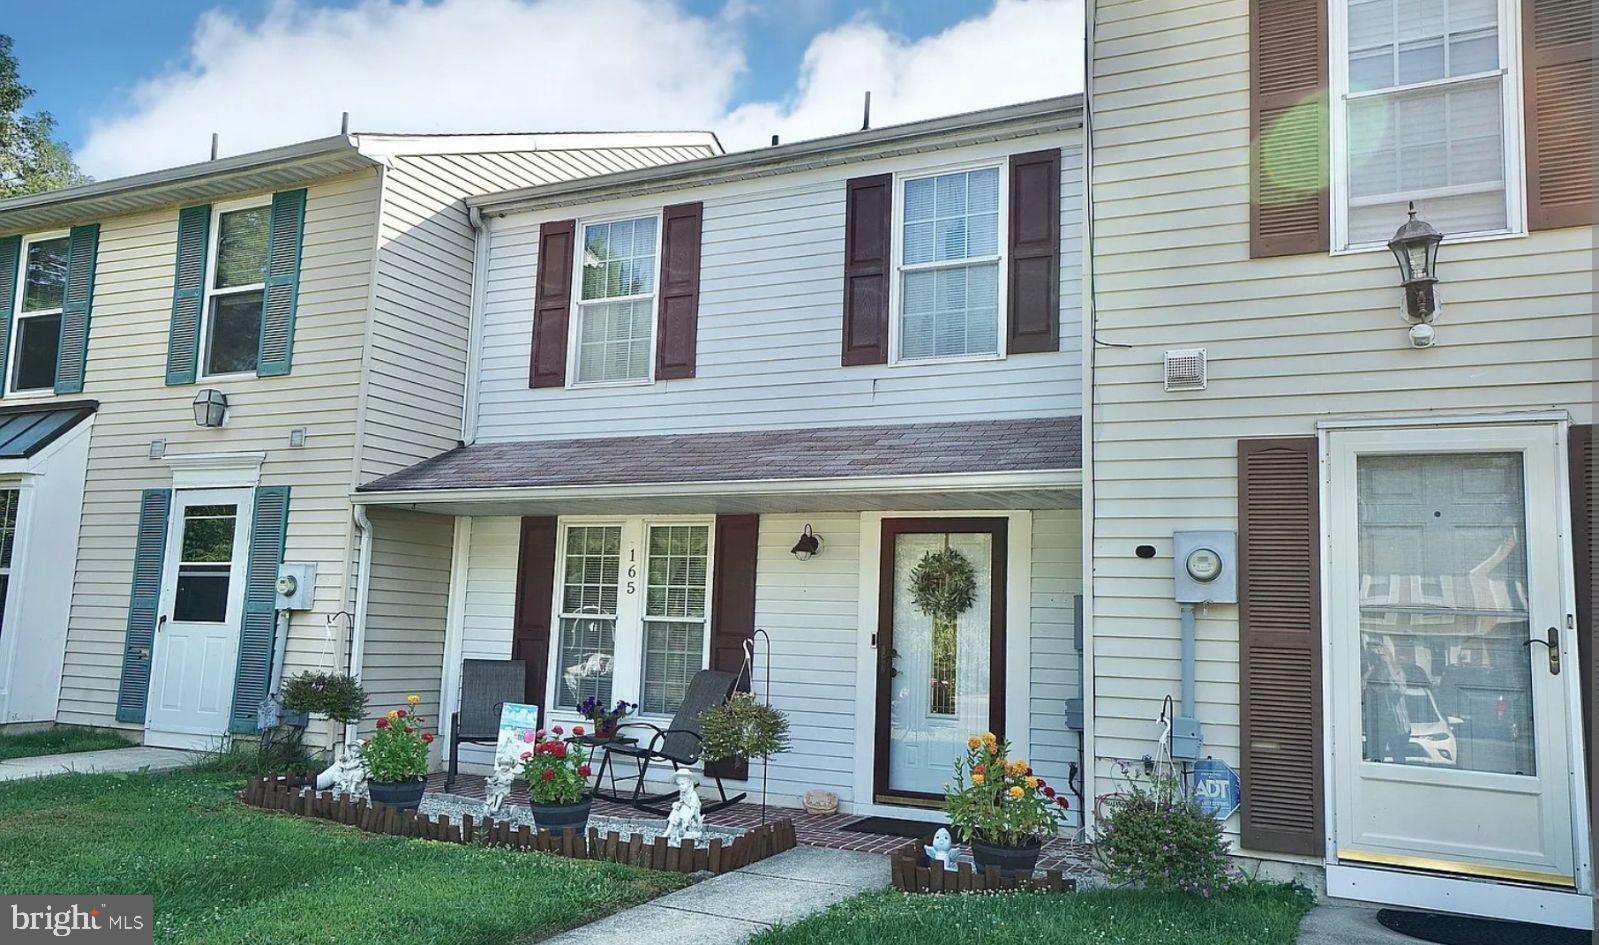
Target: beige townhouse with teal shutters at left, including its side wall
(201,365)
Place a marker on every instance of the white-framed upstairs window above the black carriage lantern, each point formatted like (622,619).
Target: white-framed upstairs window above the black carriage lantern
(1429,114)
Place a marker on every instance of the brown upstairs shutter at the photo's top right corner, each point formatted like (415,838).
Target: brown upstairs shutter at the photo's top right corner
(1558,42)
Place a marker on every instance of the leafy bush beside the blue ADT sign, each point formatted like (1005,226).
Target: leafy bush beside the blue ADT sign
(1157,837)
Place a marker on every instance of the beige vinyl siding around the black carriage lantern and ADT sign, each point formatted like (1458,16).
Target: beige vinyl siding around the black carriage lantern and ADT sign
(1291,341)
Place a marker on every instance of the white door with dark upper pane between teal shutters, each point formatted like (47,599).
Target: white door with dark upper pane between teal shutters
(202,608)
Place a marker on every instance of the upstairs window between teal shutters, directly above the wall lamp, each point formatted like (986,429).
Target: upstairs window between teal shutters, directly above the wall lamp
(231,333)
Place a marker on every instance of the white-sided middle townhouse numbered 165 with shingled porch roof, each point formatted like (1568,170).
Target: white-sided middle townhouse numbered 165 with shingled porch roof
(682,372)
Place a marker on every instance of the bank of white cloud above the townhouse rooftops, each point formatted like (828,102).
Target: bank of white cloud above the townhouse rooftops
(564,65)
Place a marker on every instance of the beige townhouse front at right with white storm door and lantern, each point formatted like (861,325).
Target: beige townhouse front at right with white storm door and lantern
(1398,652)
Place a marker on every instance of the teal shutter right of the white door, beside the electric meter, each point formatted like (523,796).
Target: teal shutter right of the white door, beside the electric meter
(268,532)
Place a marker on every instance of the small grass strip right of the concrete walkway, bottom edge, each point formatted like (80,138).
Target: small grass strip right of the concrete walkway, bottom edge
(1256,915)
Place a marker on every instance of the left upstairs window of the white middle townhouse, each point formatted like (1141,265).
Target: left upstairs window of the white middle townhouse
(616,301)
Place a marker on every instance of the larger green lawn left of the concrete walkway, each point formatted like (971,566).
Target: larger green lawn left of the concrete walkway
(223,874)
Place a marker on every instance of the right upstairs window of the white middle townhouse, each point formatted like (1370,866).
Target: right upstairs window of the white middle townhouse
(951,266)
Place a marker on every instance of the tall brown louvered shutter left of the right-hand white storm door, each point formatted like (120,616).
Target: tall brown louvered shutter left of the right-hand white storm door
(1280,645)
